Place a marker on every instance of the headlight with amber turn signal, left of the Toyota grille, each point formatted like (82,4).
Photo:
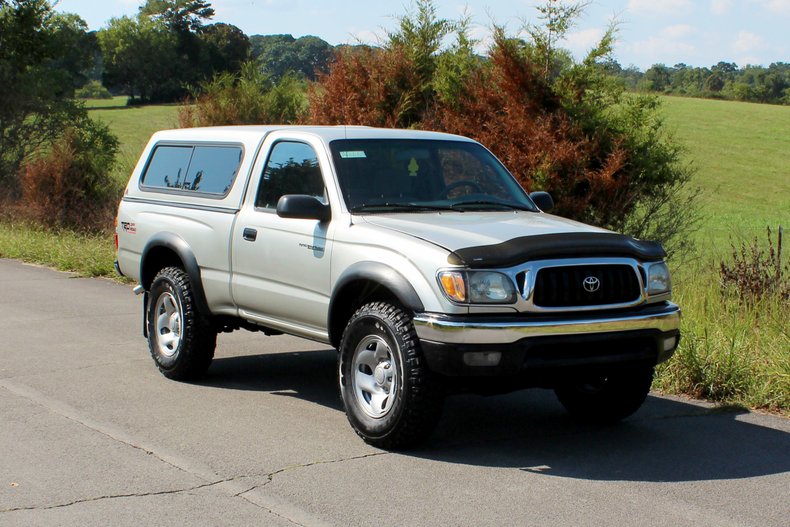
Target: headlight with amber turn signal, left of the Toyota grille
(478,287)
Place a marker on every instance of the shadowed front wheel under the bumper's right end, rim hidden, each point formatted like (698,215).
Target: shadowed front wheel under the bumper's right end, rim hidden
(607,397)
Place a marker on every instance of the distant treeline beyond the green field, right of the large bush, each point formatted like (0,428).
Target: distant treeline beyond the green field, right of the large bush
(724,80)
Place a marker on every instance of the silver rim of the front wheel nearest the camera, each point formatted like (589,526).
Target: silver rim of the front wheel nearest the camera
(374,376)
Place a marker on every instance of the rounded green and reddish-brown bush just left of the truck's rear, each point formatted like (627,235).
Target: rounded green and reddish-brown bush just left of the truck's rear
(70,183)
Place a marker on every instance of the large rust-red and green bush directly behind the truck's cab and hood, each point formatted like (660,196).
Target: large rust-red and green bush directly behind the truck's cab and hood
(560,126)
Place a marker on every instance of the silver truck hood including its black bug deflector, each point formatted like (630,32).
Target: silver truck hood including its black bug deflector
(498,239)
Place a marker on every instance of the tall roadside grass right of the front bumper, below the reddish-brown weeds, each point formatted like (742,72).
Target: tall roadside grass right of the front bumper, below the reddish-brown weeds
(730,352)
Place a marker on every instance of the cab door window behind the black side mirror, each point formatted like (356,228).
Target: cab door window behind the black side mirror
(292,169)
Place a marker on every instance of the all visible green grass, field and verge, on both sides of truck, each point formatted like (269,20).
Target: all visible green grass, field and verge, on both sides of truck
(732,353)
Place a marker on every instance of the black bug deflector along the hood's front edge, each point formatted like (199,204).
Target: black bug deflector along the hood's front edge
(563,245)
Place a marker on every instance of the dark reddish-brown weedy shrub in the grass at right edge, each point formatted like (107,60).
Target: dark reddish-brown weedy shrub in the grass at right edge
(757,273)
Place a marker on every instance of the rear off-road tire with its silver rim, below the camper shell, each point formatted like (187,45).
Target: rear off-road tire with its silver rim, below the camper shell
(181,342)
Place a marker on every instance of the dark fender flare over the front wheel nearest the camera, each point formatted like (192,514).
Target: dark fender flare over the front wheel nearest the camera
(364,282)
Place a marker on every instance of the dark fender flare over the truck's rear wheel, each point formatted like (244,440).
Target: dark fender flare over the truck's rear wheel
(170,250)
